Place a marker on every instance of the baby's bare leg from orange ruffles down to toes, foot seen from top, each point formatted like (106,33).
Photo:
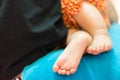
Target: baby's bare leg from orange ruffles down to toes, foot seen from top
(90,19)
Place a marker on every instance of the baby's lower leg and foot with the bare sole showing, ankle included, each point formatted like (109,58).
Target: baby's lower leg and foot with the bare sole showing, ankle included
(69,60)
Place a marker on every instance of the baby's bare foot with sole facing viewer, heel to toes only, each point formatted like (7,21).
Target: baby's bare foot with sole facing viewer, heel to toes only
(68,61)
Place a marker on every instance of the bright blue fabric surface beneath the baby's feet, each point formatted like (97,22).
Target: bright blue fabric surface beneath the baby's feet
(105,66)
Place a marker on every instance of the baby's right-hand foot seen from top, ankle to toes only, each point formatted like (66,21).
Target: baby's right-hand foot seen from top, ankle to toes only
(101,43)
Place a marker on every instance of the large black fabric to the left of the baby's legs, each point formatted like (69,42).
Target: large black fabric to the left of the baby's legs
(28,30)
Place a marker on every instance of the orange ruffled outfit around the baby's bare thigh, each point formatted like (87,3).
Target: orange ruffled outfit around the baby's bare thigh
(71,7)
